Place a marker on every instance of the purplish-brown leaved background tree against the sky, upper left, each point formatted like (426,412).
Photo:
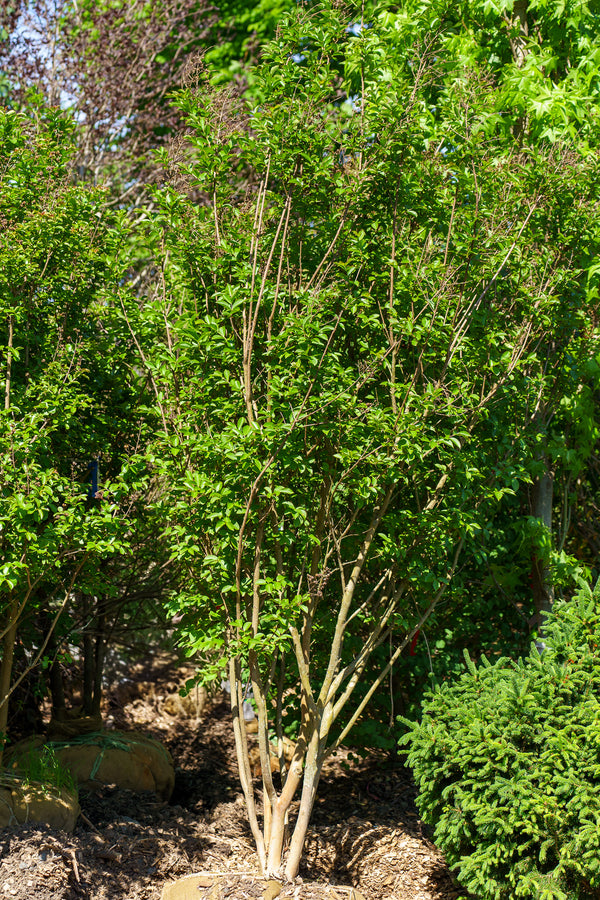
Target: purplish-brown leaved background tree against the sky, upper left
(114,66)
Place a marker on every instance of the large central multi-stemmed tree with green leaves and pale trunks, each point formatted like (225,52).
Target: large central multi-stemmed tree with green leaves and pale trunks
(346,343)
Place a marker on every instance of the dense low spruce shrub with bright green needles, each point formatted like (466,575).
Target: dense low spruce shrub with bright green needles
(507,763)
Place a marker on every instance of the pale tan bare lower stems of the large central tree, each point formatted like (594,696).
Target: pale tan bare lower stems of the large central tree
(318,713)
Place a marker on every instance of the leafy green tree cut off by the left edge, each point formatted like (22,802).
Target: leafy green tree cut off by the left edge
(65,401)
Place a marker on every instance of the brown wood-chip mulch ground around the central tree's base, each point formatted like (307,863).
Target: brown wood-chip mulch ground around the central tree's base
(365,831)
